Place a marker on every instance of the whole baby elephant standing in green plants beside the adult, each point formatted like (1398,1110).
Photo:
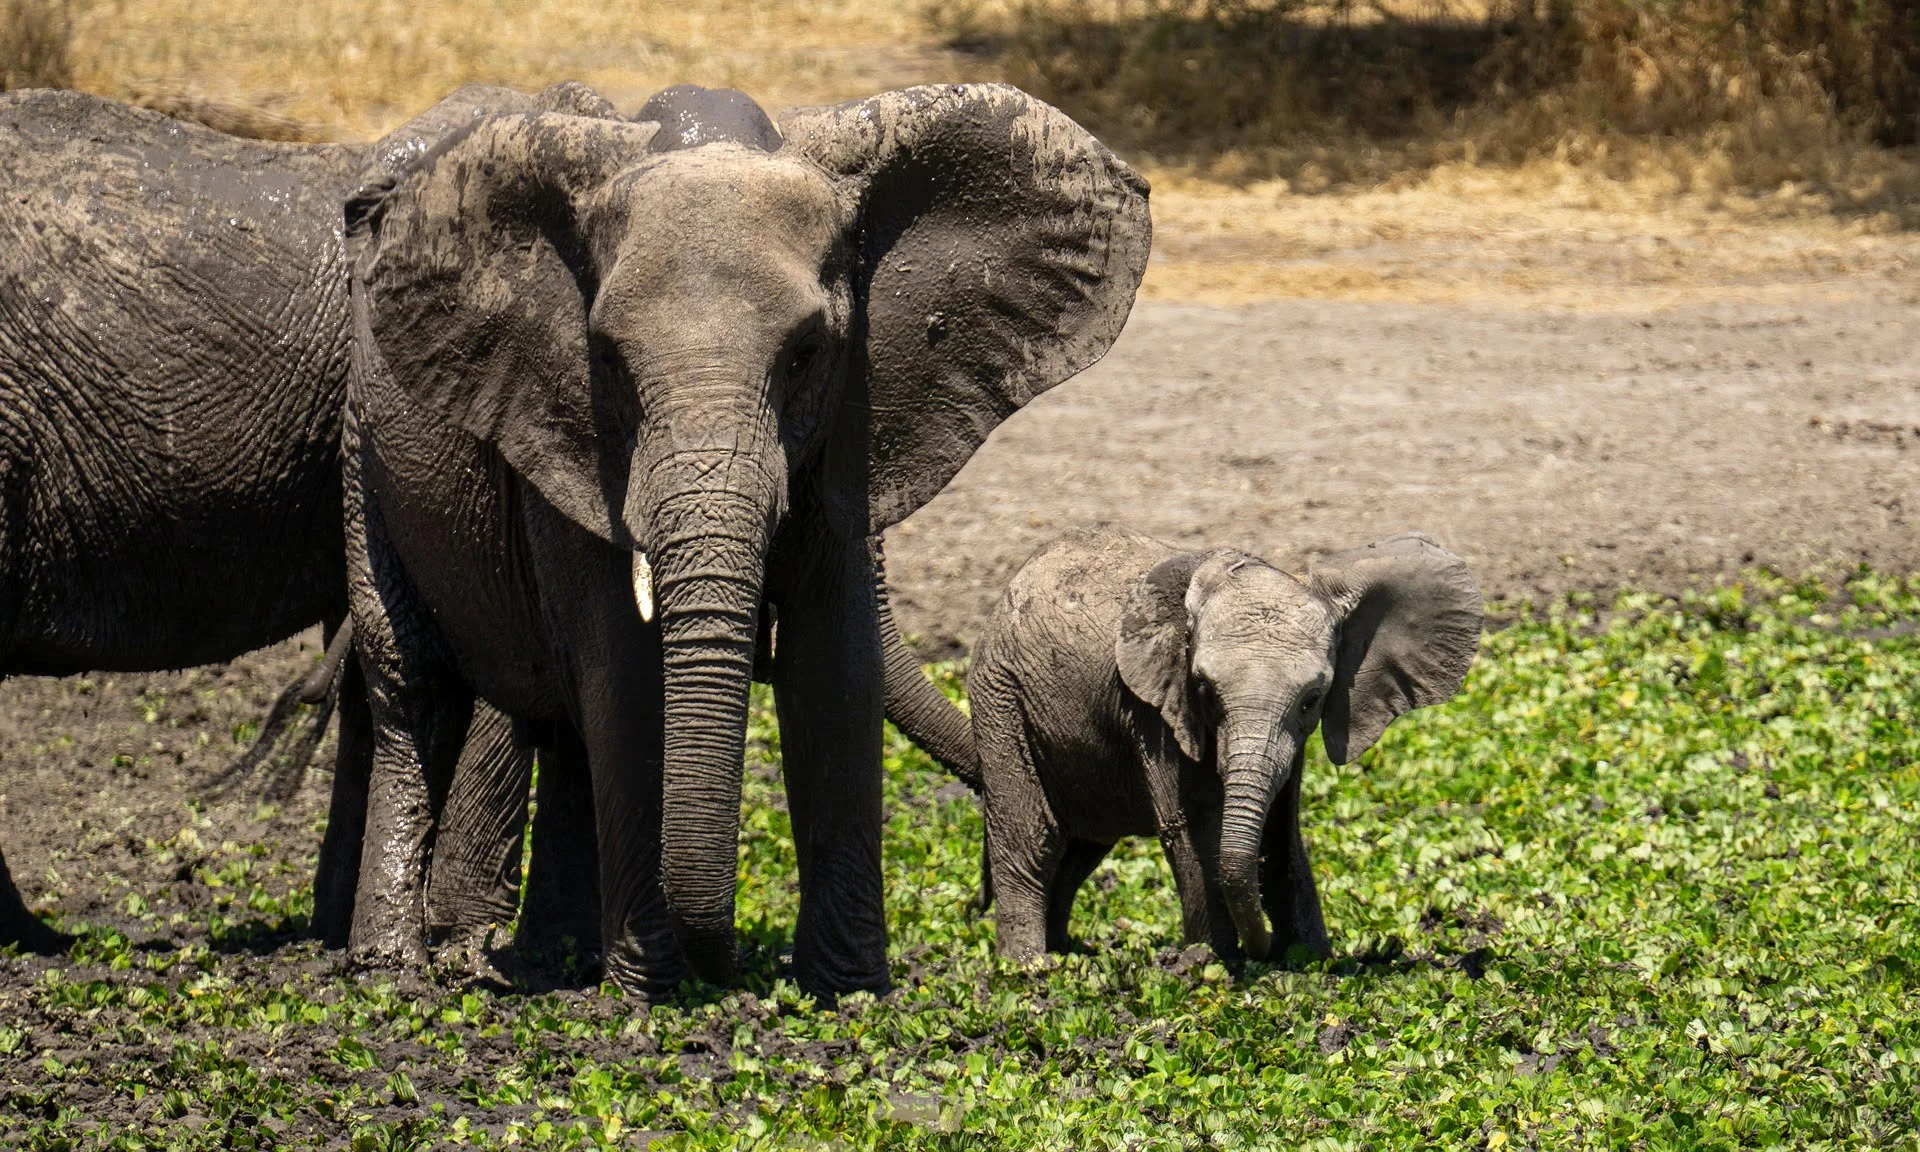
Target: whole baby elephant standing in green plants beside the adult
(1130,688)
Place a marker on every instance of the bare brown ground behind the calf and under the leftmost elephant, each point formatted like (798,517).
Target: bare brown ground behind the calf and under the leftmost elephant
(1552,450)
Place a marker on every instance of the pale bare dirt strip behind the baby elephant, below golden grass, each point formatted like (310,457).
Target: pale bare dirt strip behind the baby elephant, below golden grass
(1554,446)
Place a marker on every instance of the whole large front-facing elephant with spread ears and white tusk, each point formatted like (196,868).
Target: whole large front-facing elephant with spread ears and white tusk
(581,360)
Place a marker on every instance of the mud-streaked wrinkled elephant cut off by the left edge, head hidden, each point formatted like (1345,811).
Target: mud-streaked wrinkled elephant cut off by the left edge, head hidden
(174,358)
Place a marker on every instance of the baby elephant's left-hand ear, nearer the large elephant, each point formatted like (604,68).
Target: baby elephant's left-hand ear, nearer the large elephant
(1157,644)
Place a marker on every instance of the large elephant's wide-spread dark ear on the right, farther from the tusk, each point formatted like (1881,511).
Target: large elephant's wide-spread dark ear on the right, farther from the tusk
(1001,249)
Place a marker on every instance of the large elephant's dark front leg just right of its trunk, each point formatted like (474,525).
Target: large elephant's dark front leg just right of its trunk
(828,692)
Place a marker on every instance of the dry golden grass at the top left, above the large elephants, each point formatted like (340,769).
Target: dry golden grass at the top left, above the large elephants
(356,68)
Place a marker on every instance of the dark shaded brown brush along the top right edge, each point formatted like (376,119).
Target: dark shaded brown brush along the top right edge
(1698,97)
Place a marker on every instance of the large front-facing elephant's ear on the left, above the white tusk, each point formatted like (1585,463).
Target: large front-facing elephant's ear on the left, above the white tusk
(471,289)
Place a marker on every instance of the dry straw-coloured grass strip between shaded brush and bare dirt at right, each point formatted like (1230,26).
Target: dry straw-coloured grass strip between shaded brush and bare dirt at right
(1537,237)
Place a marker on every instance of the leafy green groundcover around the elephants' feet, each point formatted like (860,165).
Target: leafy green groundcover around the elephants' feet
(1646,884)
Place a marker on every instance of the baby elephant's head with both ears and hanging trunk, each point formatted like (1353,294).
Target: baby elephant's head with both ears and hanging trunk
(1243,661)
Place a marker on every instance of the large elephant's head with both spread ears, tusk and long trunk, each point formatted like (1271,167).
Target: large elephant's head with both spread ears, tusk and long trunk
(665,331)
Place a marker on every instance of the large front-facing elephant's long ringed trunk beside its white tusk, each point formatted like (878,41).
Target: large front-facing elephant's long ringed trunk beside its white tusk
(709,535)
